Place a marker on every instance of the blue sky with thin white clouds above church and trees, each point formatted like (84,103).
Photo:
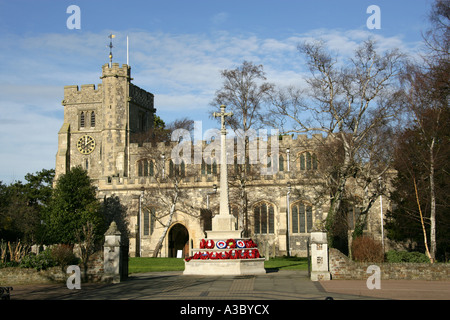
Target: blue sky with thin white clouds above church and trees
(177,50)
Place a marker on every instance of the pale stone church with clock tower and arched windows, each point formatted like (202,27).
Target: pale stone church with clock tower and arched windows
(277,209)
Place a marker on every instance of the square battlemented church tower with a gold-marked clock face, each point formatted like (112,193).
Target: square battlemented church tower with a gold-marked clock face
(98,123)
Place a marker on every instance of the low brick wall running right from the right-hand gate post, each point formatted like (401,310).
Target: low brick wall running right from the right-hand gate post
(341,267)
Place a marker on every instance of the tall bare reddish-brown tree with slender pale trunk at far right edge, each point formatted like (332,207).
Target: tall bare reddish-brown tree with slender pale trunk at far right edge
(427,99)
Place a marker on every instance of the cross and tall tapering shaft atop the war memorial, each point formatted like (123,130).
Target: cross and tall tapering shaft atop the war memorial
(224,201)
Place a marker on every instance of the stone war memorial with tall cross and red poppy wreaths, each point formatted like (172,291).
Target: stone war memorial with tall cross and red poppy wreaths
(224,252)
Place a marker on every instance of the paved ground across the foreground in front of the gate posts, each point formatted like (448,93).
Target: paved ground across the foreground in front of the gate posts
(282,285)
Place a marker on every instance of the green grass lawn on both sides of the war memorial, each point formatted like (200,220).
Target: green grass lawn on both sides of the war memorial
(139,265)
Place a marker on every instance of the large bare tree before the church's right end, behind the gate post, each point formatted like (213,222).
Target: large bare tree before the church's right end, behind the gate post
(351,103)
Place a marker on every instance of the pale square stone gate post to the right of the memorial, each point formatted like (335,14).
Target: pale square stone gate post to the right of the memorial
(319,256)
